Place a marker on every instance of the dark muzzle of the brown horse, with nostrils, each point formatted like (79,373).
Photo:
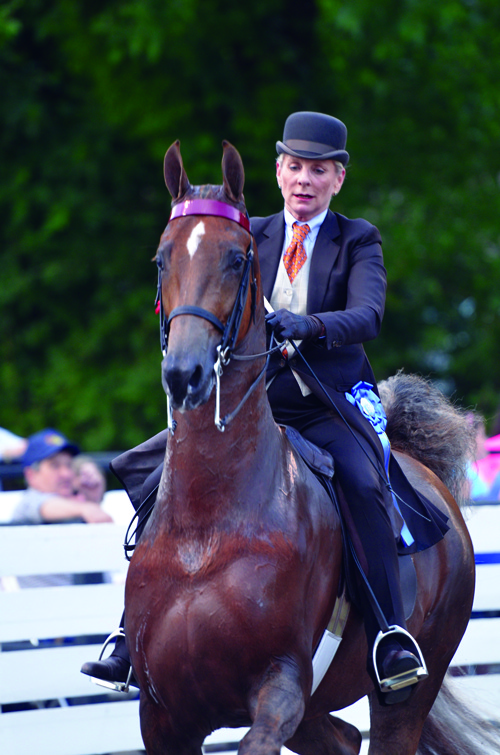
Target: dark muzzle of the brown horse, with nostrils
(187,381)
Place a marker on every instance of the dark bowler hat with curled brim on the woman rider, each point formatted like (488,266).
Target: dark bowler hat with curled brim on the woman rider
(315,136)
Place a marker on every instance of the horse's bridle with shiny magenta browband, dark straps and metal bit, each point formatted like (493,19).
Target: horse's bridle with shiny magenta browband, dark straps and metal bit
(231,329)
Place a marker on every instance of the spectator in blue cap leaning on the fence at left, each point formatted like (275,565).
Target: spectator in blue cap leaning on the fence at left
(50,497)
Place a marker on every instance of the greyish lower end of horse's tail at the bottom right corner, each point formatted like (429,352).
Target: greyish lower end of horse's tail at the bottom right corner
(451,728)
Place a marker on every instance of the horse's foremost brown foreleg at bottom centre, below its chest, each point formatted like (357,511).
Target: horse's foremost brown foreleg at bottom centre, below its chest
(276,708)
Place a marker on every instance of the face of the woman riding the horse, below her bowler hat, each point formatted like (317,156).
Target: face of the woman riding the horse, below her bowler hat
(308,185)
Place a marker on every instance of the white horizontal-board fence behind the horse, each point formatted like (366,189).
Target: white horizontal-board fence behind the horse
(47,632)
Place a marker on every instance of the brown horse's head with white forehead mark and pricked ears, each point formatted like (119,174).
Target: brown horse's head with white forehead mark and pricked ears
(205,259)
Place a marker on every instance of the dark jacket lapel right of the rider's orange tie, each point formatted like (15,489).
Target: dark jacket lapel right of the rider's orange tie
(324,255)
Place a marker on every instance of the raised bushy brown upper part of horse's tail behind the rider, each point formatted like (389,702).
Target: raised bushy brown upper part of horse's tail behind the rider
(426,425)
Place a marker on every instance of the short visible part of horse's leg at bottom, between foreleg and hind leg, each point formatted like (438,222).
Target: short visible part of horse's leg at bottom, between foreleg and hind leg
(327,735)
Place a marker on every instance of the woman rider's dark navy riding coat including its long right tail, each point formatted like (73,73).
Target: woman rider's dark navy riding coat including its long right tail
(346,291)
